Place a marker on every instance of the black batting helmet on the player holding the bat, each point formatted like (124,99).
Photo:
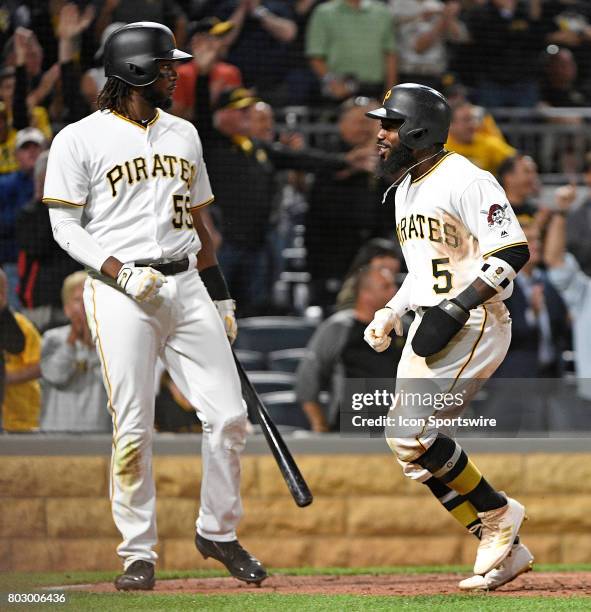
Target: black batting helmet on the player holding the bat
(131,52)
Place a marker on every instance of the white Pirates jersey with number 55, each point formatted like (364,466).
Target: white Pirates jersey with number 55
(115,167)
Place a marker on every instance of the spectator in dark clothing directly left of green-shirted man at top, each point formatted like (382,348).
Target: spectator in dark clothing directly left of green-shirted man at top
(259,43)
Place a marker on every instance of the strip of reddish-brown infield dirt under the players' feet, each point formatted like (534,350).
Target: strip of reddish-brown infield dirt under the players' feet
(532,584)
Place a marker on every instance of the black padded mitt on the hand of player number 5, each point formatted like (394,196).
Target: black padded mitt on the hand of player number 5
(438,326)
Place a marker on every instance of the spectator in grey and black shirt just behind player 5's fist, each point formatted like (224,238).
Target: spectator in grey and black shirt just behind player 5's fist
(337,350)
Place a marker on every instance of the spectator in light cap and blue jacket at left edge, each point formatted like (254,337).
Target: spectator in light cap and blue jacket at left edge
(16,189)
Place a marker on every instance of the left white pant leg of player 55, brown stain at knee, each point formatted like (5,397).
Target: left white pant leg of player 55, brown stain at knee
(127,337)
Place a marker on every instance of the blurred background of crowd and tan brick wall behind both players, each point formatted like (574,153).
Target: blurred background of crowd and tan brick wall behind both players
(278,90)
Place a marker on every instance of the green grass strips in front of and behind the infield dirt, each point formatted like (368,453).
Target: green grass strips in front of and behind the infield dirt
(12,582)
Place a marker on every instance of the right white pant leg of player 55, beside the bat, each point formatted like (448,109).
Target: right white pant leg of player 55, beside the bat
(199,359)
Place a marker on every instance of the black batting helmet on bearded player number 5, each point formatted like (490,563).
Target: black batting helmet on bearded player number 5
(424,112)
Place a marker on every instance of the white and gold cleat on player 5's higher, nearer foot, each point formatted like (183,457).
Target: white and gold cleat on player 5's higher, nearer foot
(499,528)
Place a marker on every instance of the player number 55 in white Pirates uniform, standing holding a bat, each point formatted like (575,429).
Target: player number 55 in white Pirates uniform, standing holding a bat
(127,187)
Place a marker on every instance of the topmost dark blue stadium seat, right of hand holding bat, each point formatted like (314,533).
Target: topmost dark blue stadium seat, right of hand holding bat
(267,334)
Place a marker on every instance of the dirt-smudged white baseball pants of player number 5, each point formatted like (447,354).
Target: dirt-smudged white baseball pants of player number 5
(459,370)
